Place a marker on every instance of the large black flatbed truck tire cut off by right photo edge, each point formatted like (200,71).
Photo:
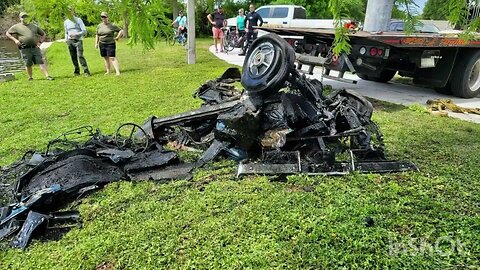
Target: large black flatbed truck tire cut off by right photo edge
(465,77)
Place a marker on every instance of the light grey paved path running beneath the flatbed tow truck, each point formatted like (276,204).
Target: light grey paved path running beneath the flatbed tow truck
(394,92)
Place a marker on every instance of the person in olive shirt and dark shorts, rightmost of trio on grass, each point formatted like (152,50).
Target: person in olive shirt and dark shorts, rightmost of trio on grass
(106,41)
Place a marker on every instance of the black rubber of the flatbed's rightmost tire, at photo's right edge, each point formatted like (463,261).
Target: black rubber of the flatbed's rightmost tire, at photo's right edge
(461,74)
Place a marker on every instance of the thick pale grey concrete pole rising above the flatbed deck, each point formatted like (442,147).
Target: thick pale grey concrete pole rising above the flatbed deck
(378,15)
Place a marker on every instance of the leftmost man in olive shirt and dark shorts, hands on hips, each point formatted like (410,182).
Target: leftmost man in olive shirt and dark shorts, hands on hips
(28,37)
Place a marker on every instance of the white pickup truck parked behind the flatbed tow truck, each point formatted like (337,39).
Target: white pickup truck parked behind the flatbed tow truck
(286,16)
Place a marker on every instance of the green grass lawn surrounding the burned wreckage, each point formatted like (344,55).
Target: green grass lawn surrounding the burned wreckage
(426,219)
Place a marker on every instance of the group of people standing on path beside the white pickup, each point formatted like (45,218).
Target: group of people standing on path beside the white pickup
(244,27)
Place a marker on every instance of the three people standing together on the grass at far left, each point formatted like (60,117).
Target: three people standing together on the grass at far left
(28,37)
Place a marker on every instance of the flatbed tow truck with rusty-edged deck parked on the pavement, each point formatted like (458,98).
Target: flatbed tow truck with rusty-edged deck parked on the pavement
(447,62)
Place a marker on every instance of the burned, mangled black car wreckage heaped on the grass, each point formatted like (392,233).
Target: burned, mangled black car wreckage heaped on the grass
(282,123)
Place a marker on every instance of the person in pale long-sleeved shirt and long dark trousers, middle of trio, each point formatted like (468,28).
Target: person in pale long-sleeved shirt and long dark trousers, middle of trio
(74,32)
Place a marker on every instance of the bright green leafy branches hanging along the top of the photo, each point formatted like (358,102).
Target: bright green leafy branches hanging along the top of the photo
(149,20)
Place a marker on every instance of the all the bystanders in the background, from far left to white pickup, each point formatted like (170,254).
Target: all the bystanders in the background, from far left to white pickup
(28,37)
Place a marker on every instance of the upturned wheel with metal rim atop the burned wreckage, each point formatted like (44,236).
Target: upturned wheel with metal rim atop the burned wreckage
(267,64)
